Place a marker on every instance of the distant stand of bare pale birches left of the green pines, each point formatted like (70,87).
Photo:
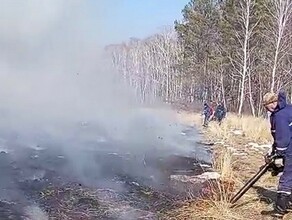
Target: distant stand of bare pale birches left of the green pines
(149,65)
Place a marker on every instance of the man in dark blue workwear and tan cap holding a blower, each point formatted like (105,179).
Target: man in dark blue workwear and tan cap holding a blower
(281,130)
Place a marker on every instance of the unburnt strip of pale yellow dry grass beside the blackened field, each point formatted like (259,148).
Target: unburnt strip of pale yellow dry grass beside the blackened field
(239,147)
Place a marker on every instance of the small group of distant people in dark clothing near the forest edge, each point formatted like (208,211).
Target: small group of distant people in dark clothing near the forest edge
(210,113)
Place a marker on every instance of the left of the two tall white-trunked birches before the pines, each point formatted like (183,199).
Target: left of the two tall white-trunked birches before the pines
(242,24)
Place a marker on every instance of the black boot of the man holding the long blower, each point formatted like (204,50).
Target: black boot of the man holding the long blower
(281,206)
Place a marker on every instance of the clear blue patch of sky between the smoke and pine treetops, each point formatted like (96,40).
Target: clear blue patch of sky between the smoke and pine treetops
(122,19)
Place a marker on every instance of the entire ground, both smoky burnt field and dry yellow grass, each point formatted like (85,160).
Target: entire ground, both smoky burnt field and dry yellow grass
(44,176)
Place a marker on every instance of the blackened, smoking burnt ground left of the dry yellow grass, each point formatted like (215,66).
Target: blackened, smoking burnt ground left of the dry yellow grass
(109,184)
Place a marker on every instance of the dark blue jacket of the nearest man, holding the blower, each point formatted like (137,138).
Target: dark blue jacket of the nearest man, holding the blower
(281,125)
